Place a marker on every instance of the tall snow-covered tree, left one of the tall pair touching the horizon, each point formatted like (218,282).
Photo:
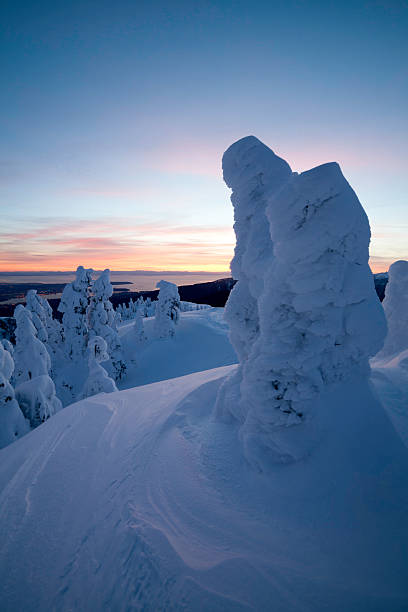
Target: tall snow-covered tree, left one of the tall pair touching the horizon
(74,304)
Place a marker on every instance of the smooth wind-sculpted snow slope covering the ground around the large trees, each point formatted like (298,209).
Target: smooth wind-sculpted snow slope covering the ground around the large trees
(139,499)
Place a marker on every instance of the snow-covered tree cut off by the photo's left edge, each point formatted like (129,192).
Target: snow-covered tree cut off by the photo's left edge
(12,422)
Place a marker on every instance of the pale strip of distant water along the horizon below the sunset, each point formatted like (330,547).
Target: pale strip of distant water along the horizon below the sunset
(140,280)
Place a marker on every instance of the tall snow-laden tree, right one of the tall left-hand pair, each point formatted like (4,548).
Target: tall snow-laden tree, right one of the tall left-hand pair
(101,320)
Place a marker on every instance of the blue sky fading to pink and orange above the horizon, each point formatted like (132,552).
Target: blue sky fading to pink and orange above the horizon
(114,117)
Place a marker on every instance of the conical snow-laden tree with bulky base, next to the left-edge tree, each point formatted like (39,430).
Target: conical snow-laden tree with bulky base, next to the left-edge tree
(35,391)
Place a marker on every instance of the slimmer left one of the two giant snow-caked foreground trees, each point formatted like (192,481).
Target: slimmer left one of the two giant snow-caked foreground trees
(253,172)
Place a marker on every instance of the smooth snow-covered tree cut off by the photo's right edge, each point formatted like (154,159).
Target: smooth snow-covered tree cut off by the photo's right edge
(396,310)
